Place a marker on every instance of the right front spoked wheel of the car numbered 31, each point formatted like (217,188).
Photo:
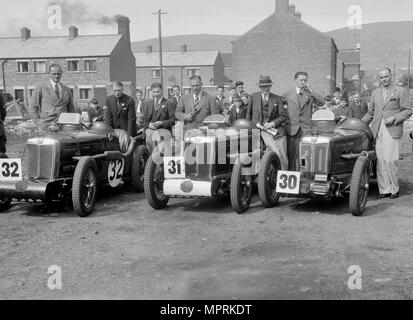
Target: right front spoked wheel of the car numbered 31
(241,189)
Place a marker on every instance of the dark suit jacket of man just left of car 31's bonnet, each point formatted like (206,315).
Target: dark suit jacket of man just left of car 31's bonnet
(166,115)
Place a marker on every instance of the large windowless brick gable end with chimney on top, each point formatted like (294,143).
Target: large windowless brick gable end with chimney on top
(280,46)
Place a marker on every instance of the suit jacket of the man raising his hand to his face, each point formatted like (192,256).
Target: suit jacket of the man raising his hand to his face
(300,117)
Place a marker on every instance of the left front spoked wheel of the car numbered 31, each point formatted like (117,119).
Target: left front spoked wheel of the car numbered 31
(153,185)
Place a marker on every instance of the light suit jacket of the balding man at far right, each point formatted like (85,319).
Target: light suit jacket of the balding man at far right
(397,104)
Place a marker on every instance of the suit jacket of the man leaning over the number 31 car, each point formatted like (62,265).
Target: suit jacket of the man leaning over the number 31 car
(206,107)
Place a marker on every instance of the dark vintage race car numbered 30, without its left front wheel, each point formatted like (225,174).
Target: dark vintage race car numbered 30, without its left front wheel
(335,160)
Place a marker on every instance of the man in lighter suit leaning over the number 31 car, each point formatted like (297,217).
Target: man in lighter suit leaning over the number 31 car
(195,106)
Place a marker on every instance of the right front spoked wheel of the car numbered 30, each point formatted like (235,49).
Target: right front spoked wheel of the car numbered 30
(359,186)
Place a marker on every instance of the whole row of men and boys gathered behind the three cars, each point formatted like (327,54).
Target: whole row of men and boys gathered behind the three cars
(290,114)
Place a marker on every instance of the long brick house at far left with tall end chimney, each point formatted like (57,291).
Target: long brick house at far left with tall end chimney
(89,62)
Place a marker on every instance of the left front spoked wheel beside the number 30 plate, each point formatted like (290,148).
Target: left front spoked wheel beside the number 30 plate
(267,179)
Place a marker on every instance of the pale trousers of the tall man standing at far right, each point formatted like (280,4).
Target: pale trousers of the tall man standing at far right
(388,153)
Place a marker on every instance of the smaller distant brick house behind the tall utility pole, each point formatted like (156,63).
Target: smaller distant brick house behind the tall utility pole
(178,67)
